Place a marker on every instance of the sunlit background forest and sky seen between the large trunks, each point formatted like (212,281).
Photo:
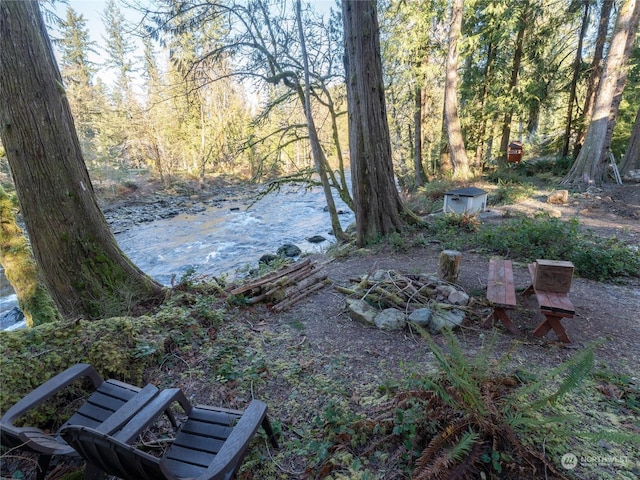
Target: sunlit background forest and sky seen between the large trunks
(186,88)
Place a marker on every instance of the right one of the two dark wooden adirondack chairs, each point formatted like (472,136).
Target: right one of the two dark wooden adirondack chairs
(210,444)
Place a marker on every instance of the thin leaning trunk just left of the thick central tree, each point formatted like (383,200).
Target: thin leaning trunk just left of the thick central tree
(316,149)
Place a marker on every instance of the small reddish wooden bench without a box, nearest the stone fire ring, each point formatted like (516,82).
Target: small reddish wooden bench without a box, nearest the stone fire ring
(501,293)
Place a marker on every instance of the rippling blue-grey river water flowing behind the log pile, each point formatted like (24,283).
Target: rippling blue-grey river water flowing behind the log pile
(225,238)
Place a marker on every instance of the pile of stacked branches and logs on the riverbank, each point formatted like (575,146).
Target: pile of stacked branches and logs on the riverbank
(285,287)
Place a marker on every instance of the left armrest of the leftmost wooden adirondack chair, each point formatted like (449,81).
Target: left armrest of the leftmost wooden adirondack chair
(48,389)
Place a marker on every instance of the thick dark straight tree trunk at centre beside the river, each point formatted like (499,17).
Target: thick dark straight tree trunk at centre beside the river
(378,205)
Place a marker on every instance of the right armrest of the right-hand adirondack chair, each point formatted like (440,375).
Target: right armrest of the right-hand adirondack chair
(235,446)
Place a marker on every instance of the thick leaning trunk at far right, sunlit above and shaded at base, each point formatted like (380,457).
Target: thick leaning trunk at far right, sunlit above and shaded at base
(590,166)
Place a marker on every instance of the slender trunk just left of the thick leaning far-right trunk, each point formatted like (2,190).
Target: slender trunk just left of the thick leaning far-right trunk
(595,73)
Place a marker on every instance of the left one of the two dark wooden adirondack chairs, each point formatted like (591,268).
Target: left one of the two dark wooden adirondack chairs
(108,396)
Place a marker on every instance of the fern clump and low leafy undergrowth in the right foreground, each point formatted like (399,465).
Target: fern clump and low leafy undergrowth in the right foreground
(467,421)
